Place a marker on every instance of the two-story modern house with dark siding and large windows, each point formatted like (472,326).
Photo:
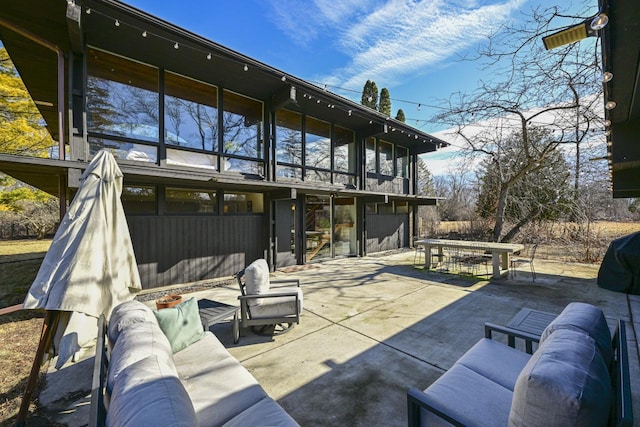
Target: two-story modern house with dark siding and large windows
(225,159)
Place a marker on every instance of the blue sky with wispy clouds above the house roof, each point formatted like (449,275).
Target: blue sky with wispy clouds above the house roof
(411,47)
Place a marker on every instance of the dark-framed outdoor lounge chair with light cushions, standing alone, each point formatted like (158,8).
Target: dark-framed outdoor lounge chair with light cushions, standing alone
(265,309)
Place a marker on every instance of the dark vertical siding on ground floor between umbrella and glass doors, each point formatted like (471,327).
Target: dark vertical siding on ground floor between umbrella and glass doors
(181,249)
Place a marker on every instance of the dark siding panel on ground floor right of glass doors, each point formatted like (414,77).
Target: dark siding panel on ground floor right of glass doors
(387,232)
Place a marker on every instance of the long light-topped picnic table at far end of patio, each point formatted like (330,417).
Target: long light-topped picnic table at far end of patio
(500,252)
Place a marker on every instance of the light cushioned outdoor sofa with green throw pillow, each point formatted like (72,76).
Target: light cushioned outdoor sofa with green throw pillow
(159,368)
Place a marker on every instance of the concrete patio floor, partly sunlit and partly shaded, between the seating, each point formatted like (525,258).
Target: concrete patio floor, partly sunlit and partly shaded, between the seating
(373,327)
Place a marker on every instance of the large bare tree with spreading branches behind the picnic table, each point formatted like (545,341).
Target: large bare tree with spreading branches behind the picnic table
(528,89)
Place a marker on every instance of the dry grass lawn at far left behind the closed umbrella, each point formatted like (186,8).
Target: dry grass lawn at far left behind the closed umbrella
(19,331)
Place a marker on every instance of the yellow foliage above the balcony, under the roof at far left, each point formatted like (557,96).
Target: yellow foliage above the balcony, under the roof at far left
(21,128)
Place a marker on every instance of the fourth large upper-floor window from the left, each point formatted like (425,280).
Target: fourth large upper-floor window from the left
(289,144)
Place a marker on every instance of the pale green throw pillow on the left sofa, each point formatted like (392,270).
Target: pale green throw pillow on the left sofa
(181,324)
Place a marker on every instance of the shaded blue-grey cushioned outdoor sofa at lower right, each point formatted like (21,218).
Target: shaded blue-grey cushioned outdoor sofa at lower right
(578,376)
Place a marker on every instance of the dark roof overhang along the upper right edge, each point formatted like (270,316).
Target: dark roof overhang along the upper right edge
(621,56)
